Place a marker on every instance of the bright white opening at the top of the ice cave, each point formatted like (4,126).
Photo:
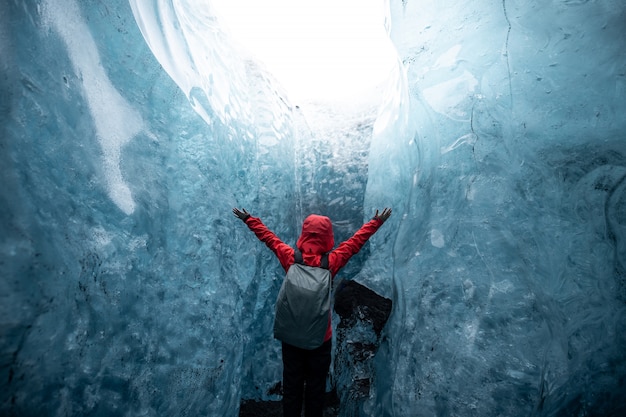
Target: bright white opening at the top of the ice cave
(318,49)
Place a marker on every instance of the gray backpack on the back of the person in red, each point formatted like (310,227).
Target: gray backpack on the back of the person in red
(303,304)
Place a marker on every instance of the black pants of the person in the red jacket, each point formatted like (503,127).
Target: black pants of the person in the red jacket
(302,368)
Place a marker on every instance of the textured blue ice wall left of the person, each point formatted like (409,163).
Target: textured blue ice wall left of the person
(142,304)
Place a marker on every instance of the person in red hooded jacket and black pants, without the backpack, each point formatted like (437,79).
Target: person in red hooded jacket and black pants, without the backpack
(305,371)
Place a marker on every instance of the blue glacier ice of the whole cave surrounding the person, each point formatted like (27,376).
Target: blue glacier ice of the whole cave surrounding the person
(131,128)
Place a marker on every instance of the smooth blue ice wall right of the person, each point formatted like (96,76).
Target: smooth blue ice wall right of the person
(508,262)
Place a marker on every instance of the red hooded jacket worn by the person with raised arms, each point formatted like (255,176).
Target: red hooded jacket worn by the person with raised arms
(315,240)
